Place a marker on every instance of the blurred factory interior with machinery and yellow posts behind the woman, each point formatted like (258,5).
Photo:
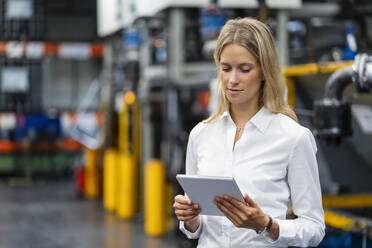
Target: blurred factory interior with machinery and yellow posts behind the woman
(98,98)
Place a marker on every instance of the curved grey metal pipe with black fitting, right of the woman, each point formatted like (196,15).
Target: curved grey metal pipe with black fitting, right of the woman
(332,115)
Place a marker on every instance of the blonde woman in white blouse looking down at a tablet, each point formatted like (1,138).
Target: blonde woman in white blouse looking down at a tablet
(254,137)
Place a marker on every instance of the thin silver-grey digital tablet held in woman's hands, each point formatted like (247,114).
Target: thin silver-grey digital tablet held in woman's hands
(203,189)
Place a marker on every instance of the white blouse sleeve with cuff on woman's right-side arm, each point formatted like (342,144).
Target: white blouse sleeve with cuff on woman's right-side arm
(303,179)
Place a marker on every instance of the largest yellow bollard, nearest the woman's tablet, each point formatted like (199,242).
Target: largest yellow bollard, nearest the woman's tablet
(155,198)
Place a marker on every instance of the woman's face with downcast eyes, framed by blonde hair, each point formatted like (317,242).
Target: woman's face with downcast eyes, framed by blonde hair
(240,75)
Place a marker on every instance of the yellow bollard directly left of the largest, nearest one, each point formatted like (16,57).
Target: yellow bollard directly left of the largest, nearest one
(127,187)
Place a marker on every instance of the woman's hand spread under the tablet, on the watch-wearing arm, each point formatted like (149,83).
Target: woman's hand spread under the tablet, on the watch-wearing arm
(247,215)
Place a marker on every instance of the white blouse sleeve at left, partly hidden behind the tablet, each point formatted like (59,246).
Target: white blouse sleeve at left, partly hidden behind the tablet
(191,169)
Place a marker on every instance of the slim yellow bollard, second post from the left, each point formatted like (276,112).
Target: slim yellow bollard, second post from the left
(109,179)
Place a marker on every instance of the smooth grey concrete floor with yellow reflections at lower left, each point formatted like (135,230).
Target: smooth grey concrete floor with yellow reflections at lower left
(51,215)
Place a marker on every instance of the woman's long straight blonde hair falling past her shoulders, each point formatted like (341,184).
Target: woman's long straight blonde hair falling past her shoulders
(256,37)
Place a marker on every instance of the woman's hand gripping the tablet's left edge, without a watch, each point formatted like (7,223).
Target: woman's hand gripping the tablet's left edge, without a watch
(187,211)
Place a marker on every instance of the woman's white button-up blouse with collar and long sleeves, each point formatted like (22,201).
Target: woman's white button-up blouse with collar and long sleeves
(274,163)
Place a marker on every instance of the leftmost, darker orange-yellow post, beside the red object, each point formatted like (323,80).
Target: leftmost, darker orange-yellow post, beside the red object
(92,182)
